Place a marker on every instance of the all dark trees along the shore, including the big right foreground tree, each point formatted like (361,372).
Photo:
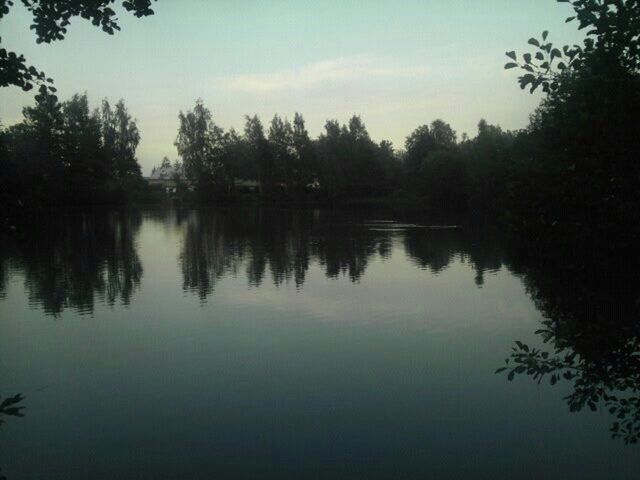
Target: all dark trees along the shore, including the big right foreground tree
(572,170)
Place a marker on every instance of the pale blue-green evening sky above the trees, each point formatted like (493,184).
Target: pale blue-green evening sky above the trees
(398,64)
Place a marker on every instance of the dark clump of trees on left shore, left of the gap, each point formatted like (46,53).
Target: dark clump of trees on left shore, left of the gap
(64,153)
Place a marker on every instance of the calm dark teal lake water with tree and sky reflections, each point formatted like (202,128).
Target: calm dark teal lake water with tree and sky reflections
(277,344)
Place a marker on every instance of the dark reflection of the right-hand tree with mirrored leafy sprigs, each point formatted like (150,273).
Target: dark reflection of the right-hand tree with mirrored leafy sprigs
(592,324)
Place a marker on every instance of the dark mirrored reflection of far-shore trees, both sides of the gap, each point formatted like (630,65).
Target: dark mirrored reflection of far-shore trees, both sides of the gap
(93,257)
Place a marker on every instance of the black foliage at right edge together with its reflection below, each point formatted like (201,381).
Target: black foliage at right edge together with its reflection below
(575,175)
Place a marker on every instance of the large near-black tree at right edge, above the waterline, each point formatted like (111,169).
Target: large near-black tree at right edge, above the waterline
(584,138)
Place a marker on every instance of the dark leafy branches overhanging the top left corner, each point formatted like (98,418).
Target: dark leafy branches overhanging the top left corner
(50,22)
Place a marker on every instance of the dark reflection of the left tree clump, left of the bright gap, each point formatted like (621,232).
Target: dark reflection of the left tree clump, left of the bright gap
(76,259)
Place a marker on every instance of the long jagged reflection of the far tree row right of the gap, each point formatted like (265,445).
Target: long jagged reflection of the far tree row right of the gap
(285,243)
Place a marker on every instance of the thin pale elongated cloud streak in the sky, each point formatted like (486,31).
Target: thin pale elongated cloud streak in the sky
(339,70)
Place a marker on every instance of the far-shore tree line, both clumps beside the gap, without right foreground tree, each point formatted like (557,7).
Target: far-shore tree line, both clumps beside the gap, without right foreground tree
(66,153)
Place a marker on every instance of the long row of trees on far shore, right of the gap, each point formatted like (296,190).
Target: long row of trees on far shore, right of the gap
(434,170)
